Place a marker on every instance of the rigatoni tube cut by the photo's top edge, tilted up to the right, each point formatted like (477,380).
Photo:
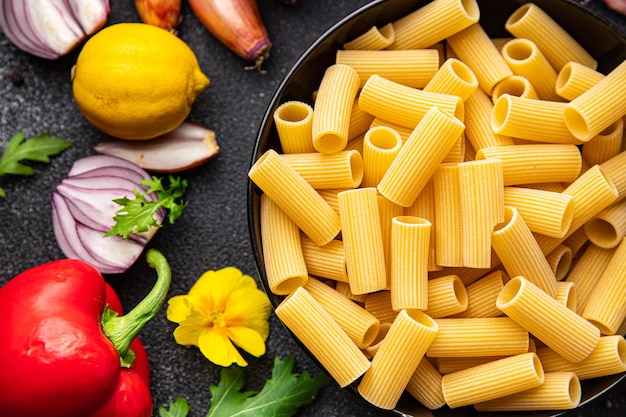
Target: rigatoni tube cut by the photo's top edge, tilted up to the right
(422,28)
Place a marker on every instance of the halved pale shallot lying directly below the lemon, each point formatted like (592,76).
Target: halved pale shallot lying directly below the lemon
(187,146)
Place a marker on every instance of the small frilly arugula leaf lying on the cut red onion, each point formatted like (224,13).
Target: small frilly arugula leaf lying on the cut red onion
(137,214)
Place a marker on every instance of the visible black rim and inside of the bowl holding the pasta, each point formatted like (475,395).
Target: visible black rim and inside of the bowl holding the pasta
(266,125)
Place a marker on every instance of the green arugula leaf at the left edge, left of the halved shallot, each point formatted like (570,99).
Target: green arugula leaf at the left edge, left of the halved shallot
(38,148)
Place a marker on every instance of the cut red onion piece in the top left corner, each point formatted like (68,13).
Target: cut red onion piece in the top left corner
(51,28)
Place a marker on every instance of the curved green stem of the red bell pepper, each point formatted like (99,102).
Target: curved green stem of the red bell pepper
(121,330)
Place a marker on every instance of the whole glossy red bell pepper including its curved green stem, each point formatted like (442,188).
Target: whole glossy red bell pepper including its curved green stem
(64,353)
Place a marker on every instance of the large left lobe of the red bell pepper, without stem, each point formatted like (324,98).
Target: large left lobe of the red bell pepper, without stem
(56,360)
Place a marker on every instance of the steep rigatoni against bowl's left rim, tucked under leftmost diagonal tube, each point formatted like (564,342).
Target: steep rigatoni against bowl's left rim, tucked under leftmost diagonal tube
(285,266)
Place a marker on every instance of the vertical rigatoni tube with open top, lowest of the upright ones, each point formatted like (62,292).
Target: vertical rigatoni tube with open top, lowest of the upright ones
(409,262)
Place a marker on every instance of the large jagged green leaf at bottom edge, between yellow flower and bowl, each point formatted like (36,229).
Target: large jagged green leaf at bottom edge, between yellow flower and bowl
(281,396)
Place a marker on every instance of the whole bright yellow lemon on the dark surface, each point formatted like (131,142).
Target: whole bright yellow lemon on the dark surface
(136,81)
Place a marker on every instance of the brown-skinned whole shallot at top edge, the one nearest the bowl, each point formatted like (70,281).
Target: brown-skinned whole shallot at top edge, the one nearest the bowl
(237,24)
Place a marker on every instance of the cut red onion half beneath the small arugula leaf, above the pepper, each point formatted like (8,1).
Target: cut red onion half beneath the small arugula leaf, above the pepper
(83,211)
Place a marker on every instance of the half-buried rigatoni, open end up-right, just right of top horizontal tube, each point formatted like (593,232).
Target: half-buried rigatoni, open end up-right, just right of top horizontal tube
(453,77)
